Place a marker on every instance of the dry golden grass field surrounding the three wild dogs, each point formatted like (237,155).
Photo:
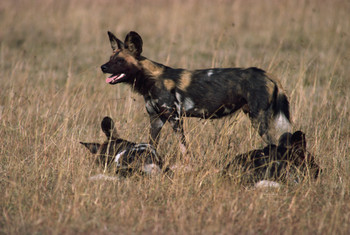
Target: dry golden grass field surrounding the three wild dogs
(53,95)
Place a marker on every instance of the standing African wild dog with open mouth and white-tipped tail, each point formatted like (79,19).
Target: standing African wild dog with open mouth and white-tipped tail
(213,93)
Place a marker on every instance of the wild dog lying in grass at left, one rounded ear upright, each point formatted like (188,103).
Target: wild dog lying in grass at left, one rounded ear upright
(128,157)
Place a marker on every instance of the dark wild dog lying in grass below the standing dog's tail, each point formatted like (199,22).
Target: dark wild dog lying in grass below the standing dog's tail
(287,162)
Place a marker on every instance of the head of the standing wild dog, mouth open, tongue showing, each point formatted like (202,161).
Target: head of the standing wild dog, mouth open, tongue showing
(123,63)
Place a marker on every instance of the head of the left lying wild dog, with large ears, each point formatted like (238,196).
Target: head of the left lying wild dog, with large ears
(106,151)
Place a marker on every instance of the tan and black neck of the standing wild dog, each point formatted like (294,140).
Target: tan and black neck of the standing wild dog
(147,76)
